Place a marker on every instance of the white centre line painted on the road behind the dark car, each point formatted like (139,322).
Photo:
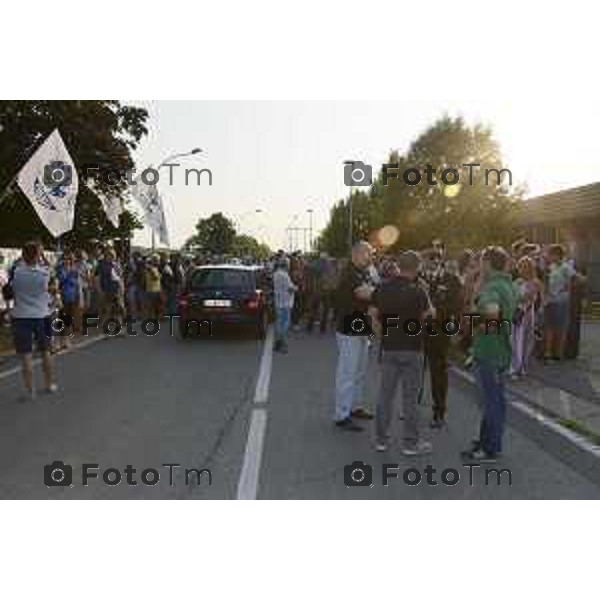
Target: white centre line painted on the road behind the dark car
(250,473)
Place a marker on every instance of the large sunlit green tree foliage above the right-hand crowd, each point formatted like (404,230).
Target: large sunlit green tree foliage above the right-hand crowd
(478,214)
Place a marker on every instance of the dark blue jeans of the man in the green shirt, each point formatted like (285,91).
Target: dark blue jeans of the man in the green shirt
(493,405)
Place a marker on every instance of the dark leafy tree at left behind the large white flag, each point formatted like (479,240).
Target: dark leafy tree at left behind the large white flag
(99,133)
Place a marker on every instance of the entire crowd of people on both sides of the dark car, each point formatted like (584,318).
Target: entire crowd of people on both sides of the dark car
(528,297)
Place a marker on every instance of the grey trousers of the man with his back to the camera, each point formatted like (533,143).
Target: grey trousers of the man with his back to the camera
(404,366)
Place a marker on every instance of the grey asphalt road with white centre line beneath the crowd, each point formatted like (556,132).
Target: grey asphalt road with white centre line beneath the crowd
(260,422)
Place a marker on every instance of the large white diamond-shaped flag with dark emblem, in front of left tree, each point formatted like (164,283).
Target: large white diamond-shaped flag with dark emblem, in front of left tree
(49,180)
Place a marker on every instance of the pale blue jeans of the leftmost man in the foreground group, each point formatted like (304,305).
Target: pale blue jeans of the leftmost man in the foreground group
(353,360)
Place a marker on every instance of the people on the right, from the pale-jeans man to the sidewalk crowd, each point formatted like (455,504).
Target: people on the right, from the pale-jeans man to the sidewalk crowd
(499,308)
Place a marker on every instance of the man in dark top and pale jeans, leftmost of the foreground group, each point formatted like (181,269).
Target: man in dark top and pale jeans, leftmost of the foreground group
(353,294)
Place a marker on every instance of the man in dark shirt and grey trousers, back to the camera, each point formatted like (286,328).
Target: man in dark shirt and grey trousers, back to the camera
(398,303)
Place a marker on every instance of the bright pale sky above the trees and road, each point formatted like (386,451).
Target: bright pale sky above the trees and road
(273,161)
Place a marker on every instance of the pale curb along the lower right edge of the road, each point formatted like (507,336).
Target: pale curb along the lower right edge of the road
(569,447)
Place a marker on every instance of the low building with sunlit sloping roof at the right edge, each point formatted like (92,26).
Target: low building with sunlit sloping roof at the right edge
(570,217)
